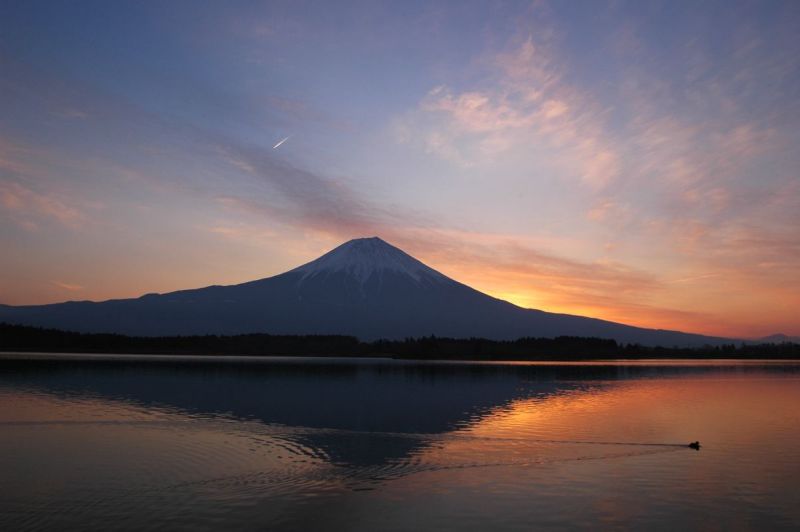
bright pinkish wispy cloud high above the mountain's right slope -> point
(523, 103)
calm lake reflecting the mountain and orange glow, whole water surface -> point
(96, 442)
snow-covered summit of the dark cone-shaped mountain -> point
(362, 258)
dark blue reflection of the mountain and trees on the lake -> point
(350, 398)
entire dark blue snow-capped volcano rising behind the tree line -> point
(365, 288)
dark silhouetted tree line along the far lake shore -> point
(31, 339)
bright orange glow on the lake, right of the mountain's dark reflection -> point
(630, 418)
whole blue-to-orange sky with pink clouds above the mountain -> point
(632, 161)
